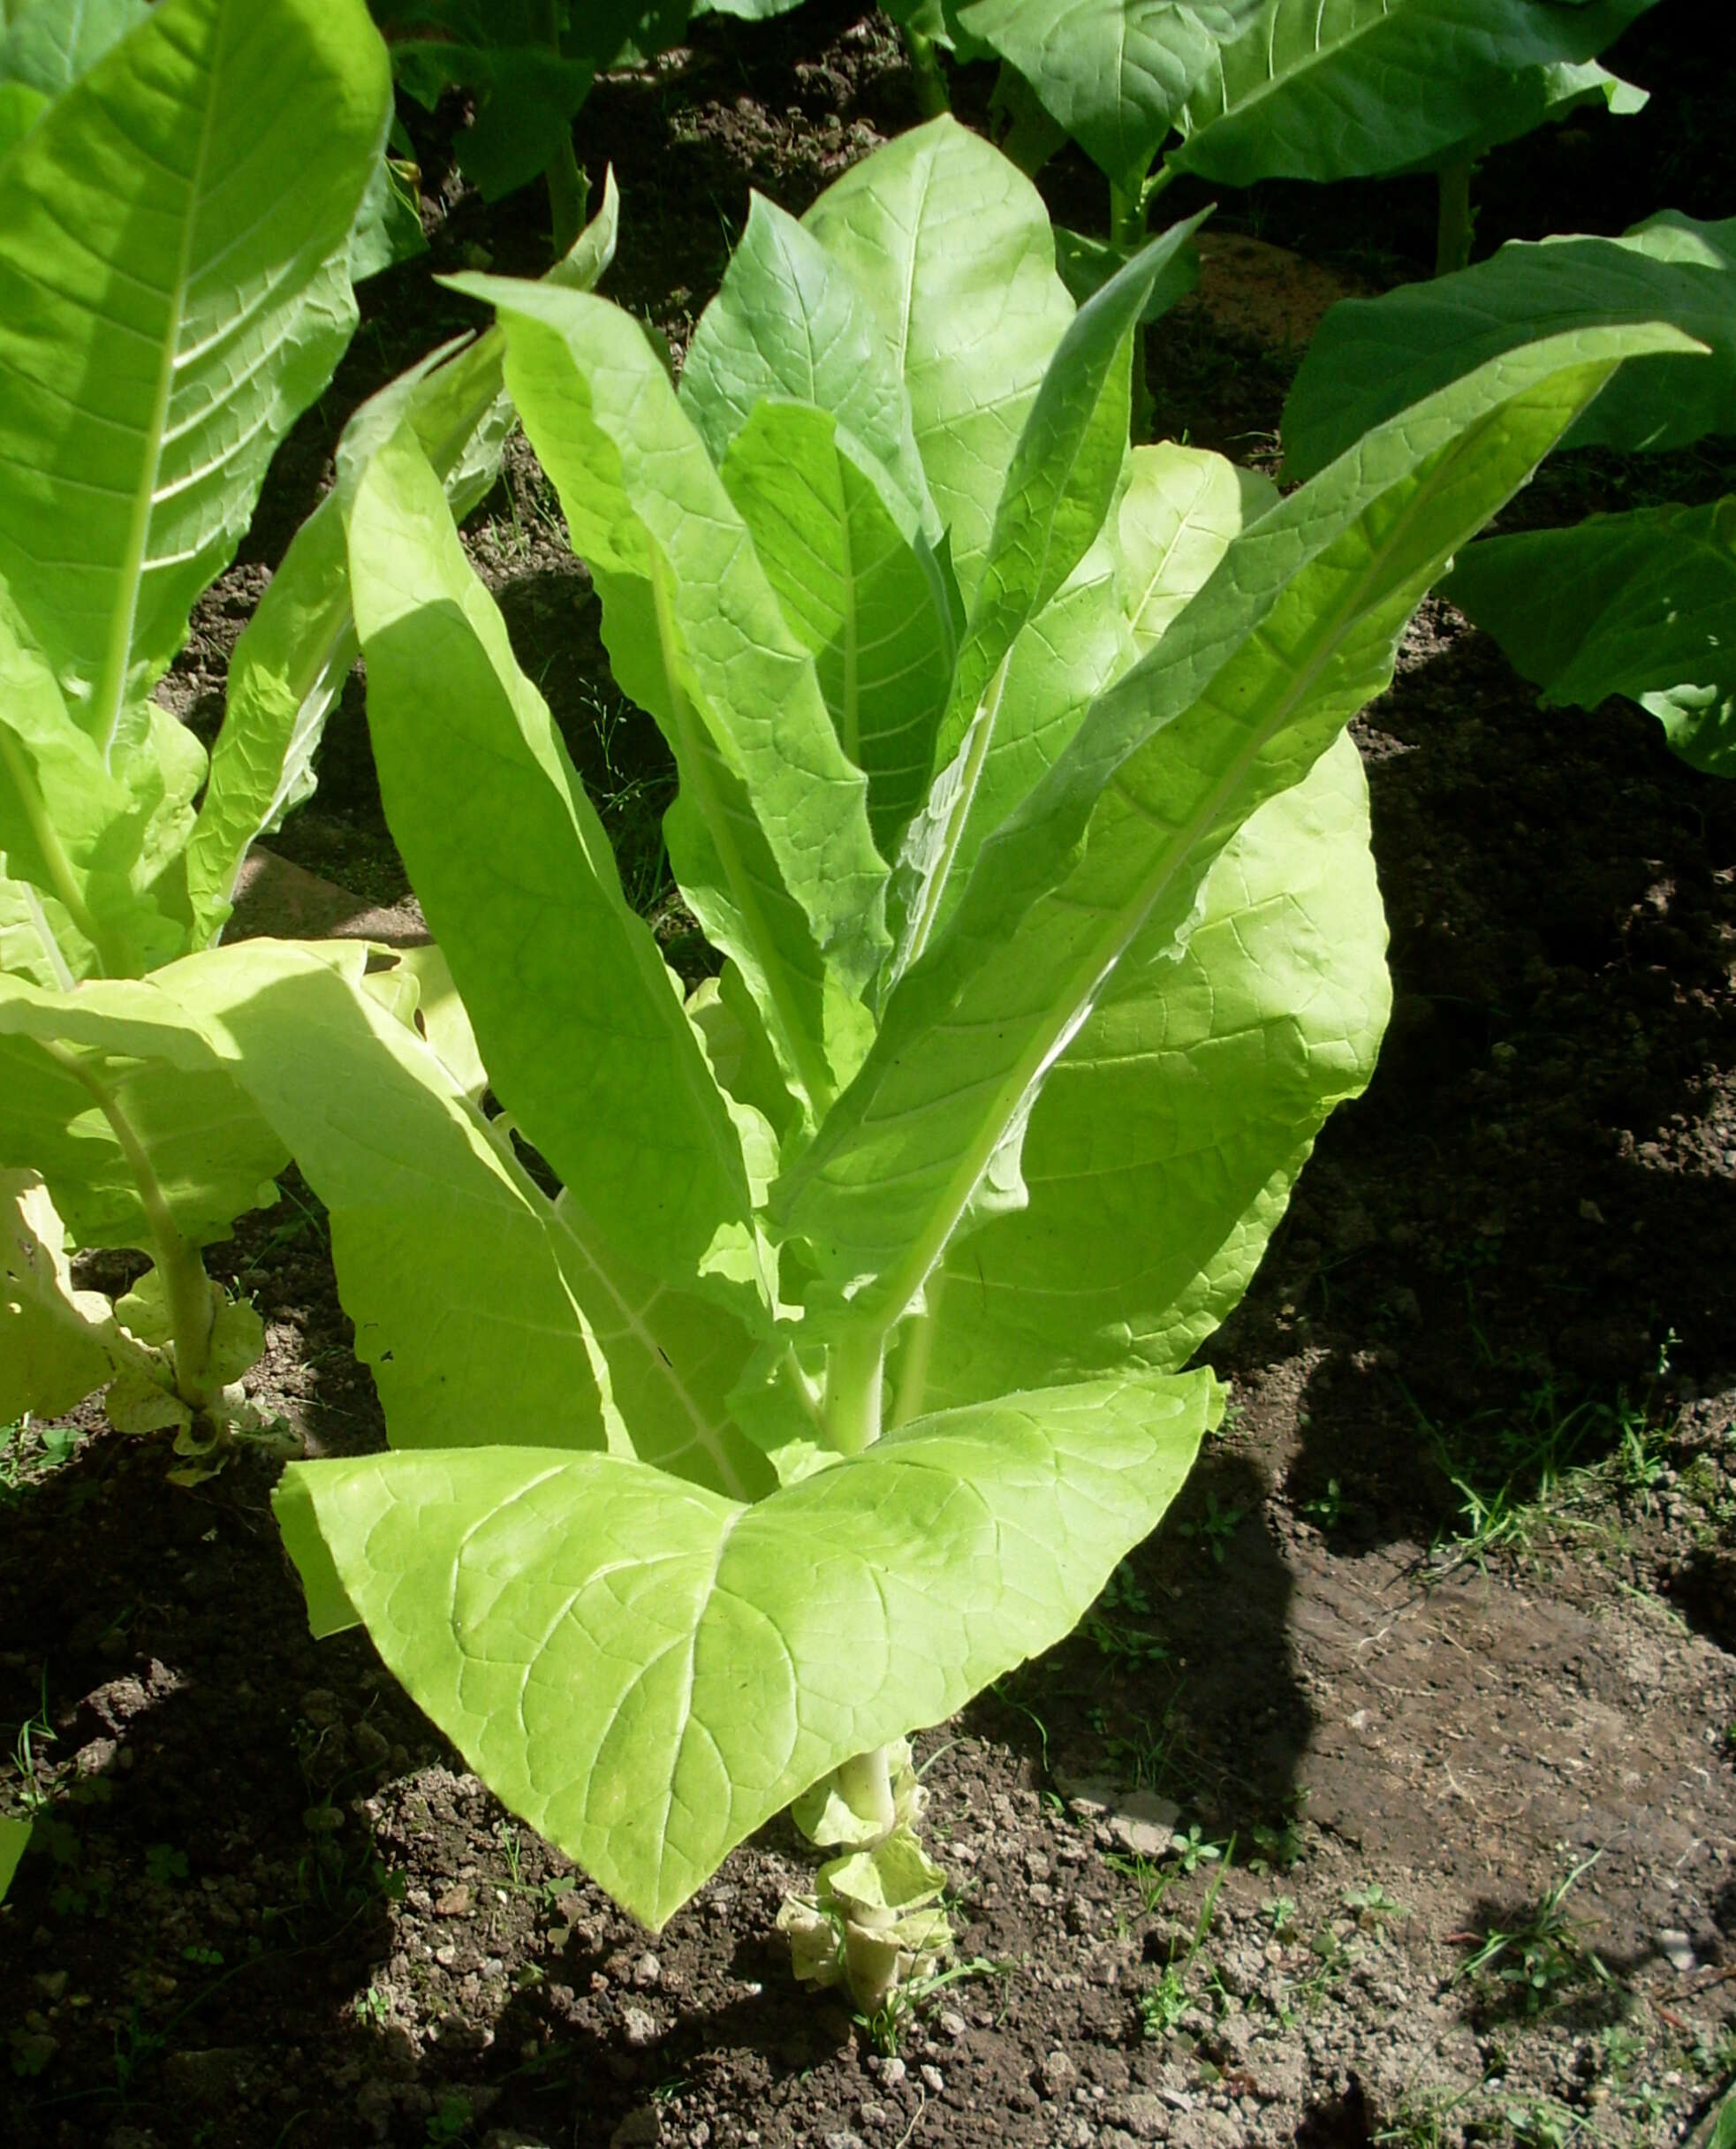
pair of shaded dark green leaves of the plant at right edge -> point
(1640, 603)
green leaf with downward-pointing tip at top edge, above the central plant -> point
(1114, 74)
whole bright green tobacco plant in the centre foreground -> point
(850, 1355)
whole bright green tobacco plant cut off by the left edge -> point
(169, 304)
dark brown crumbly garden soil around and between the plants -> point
(1389, 1791)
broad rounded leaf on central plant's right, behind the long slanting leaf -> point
(1166, 1142)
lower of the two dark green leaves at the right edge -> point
(1640, 605)
